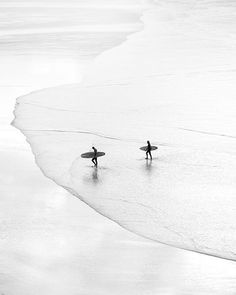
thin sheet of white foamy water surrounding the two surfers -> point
(172, 83)
